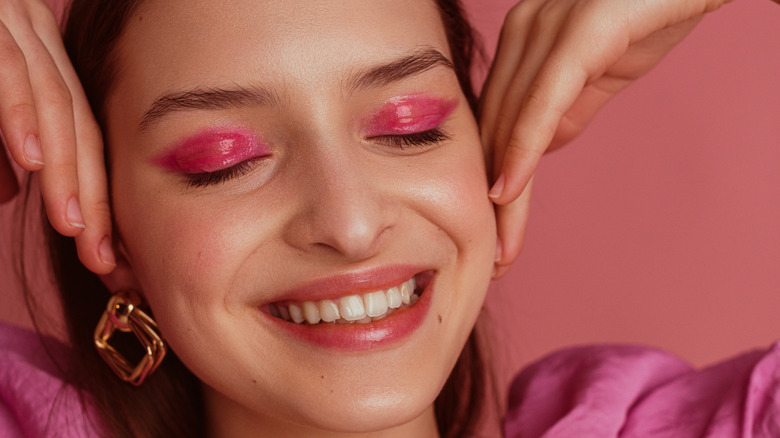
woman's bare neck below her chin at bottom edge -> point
(228, 419)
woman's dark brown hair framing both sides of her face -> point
(169, 403)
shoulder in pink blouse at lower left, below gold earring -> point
(34, 399)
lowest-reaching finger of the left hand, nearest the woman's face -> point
(95, 243)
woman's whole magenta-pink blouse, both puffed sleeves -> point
(581, 392)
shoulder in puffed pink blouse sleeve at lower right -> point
(631, 391)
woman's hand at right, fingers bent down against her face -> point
(558, 62)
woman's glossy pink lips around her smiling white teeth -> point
(357, 337)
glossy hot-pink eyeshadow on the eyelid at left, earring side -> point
(212, 150)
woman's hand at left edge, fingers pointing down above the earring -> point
(48, 127)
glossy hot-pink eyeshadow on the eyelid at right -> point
(410, 114)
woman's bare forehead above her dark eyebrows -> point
(178, 43)
